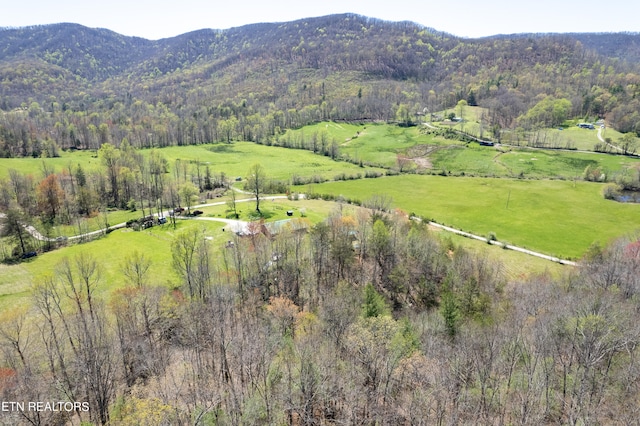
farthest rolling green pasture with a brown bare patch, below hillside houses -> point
(381, 144)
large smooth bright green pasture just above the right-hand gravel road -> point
(555, 217)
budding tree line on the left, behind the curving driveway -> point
(125, 180)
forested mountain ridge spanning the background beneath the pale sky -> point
(252, 81)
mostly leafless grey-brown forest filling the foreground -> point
(362, 320)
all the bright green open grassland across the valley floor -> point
(561, 217)
